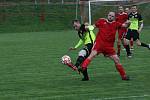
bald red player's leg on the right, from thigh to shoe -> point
(119, 67)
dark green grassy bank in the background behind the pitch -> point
(28, 16)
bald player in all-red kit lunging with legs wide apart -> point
(104, 42)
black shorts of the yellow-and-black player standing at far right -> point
(132, 34)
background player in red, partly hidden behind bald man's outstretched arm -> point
(121, 17)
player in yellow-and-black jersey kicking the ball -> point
(87, 38)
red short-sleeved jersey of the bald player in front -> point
(107, 31)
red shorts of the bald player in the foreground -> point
(105, 50)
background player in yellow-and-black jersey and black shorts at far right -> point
(134, 30)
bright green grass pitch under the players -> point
(30, 69)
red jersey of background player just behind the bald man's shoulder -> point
(121, 17)
